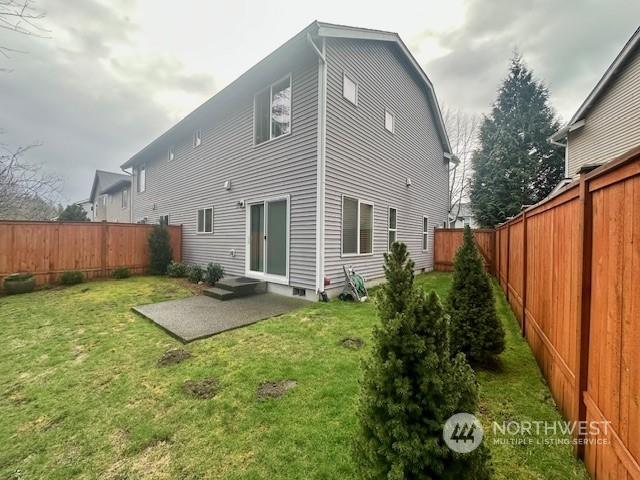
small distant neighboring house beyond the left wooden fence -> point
(111, 197)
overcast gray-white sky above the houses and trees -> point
(114, 75)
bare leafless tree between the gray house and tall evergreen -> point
(462, 129)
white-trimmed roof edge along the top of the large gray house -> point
(321, 29)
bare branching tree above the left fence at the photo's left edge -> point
(26, 192)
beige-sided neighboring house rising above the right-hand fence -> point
(607, 124)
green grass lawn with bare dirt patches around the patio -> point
(81, 395)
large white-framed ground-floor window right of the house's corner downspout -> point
(357, 227)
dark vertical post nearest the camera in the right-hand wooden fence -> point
(584, 302)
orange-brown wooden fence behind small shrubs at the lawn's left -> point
(47, 249)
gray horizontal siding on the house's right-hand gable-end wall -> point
(366, 161)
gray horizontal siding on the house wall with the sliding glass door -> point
(284, 166)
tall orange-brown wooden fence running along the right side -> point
(570, 268)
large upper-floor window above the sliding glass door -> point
(272, 111)
